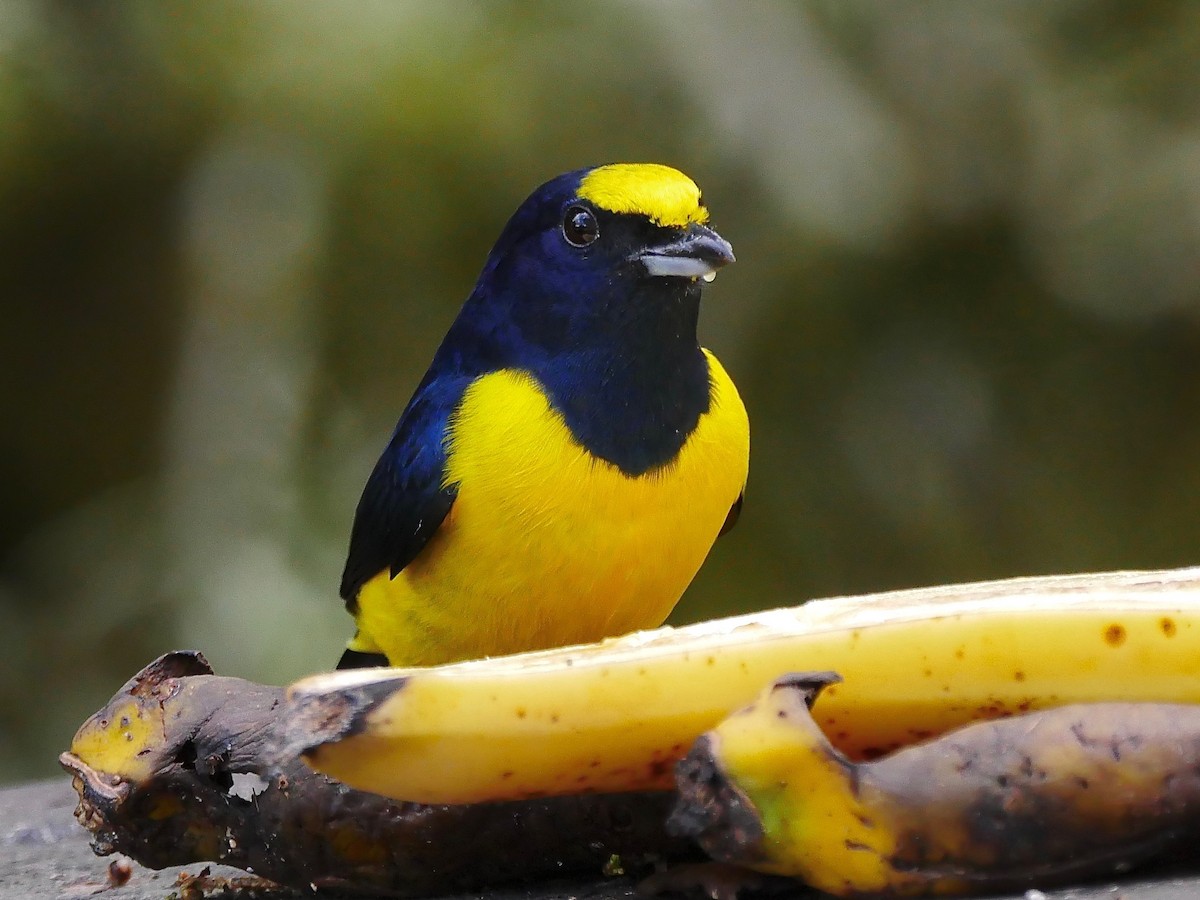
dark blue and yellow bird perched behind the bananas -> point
(573, 453)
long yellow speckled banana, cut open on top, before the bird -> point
(620, 715)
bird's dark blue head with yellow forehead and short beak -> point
(602, 251)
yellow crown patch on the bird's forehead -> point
(667, 196)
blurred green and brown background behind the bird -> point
(964, 315)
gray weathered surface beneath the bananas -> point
(45, 856)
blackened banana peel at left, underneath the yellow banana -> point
(184, 766)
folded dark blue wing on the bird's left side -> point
(405, 501)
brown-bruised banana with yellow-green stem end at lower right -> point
(1034, 801)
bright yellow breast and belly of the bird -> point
(547, 545)
